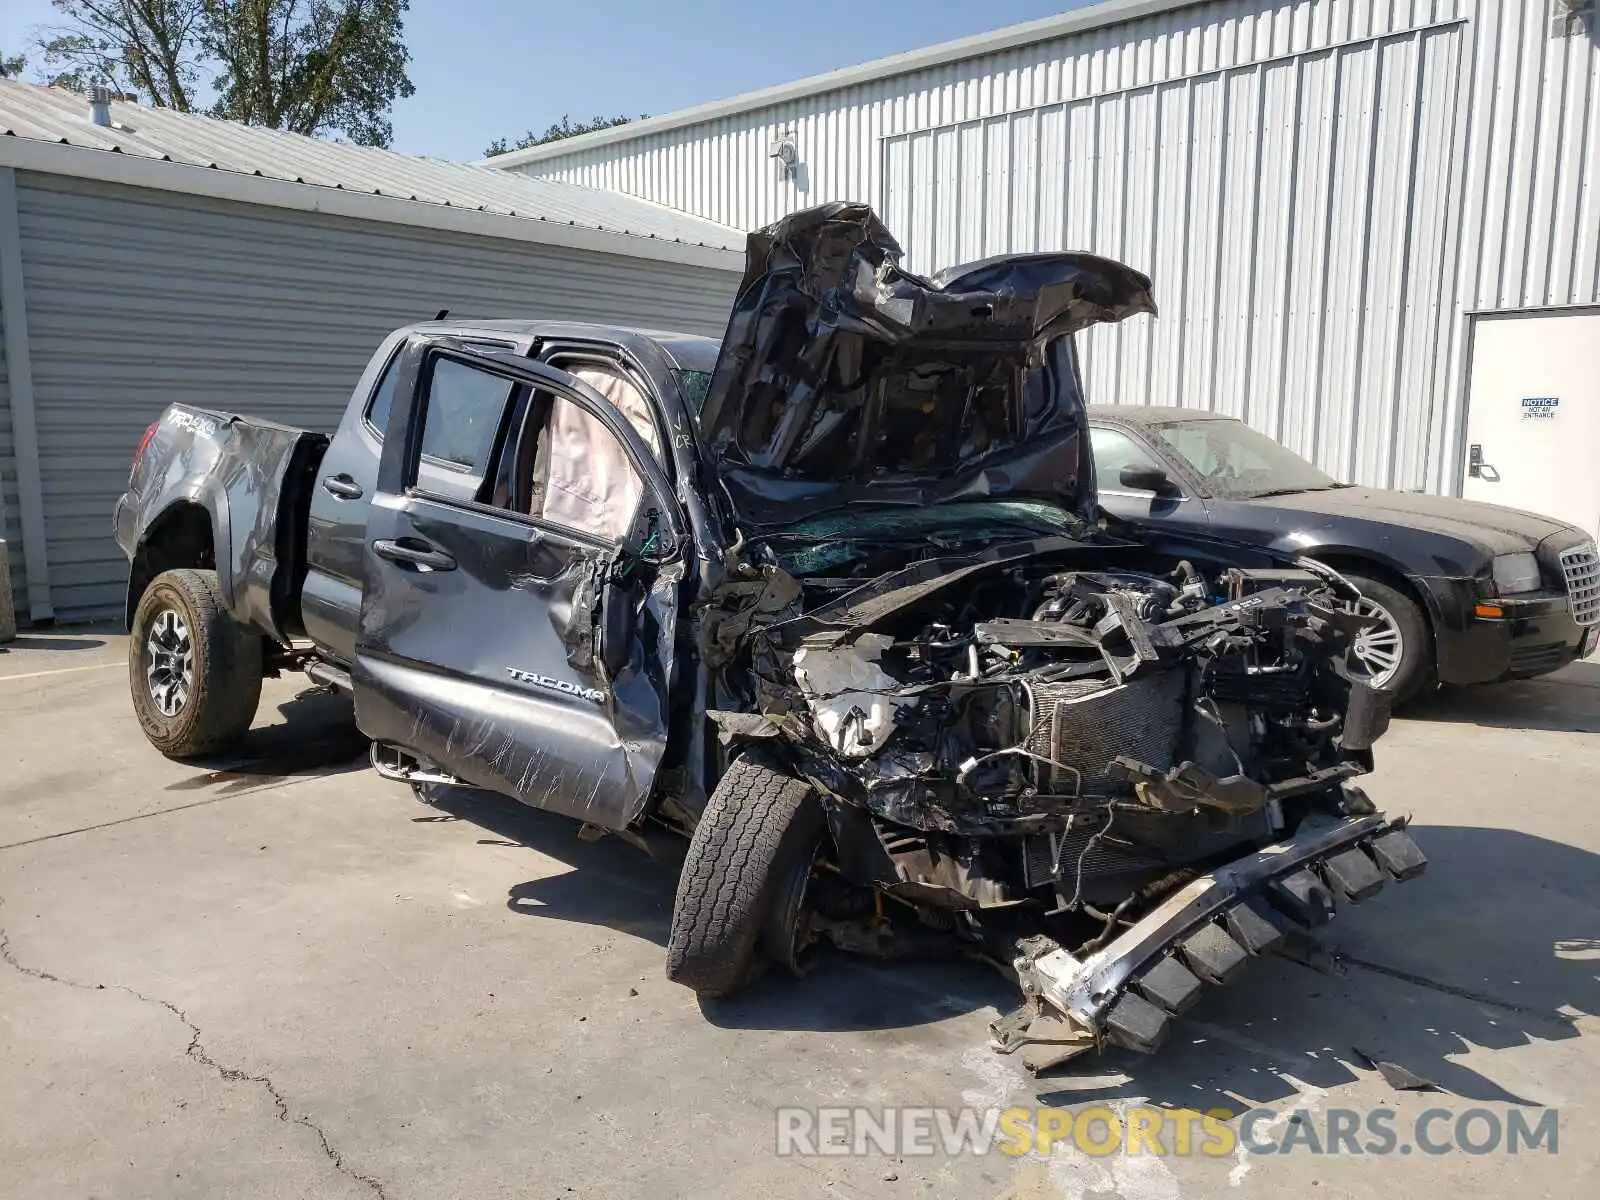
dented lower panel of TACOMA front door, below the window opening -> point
(489, 670)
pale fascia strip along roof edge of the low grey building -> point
(28, 154)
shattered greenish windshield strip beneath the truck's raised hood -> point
(842, 538)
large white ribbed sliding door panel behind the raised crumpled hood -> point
(1292, 215)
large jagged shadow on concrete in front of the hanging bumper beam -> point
(1494, 950)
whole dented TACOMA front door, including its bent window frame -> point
(482, 646)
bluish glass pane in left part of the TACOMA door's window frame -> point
(462, 418)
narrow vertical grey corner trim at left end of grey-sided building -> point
(25, 430)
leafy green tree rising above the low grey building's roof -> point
(308, 66)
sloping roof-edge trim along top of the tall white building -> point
(1044, 30)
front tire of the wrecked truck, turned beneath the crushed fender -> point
(750, 855)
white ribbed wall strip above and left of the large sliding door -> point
(721, 170)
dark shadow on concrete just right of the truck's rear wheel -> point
(318, 737)
